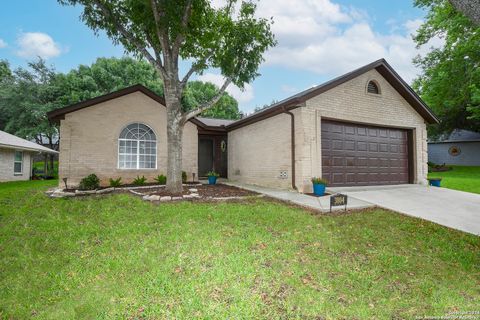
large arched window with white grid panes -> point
(137, 147)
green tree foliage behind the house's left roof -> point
(27, 94)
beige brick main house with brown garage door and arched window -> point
(367, 127)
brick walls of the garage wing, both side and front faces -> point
(260, 151)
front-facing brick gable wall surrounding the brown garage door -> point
(350, 102)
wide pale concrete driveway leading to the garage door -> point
(451, 208)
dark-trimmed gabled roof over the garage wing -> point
(380, 65)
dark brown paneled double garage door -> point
(361, 155)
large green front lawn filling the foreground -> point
(119, 257)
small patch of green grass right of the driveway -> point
(460, 178)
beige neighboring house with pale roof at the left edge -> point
(16, 157)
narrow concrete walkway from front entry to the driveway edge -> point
(317, 203)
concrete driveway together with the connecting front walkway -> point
(455, 209)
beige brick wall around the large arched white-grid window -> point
(89, 140)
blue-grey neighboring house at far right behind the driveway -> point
(461, 147)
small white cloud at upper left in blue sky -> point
(33, 44)
